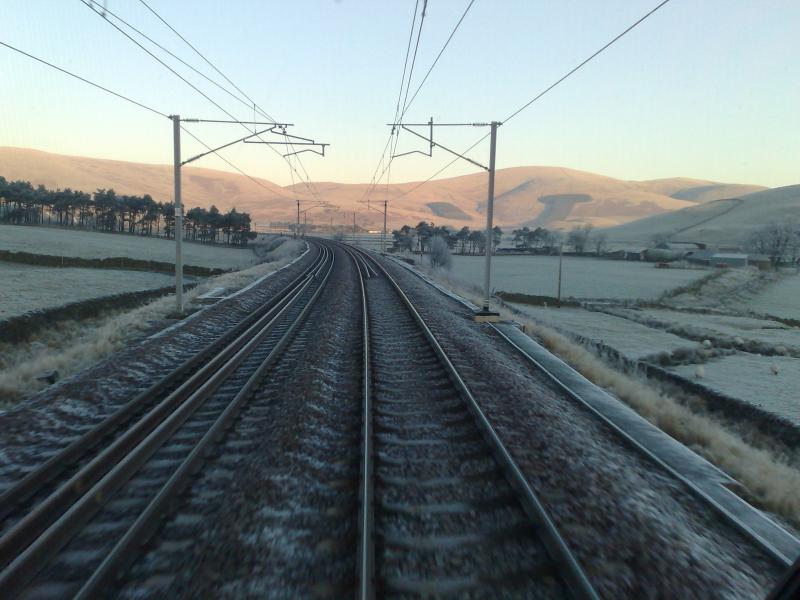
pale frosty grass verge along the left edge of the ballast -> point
(69, 347)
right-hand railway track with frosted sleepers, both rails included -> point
(444, 509)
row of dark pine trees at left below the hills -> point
(104, 210)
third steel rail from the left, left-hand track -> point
(122, 460)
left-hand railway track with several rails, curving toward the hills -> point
(72, 525)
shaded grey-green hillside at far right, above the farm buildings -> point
(721, 221)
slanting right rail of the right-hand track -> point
(572, 574)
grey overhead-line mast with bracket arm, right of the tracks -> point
(485, 314)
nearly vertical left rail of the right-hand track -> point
(366, 521)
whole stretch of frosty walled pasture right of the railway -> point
(731, 331)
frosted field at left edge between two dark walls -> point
(25, 288)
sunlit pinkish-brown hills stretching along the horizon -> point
(553, 197)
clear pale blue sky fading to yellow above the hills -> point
(707, 89)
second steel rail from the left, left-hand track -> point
(46, 512)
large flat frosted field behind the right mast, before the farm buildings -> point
(582, 277)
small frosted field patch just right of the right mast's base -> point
(631, 339)
